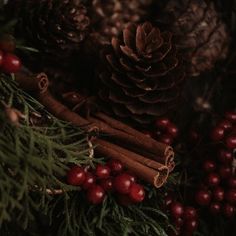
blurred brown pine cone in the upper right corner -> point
(199, 32)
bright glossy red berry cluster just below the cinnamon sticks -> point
(107, 178)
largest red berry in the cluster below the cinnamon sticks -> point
(122, 183)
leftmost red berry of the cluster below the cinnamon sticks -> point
(76, 176)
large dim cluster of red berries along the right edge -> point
(219, 190)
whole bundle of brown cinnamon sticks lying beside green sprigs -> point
(145, 157)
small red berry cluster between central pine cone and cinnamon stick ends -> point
(165, 131)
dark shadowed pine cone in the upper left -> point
(54, 27)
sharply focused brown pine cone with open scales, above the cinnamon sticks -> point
(142, 76)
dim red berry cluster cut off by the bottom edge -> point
(184, 218)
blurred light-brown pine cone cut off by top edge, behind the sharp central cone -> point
(111, 16)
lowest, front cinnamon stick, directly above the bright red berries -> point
(155, 174)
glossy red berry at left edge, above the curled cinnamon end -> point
(11, 63)
